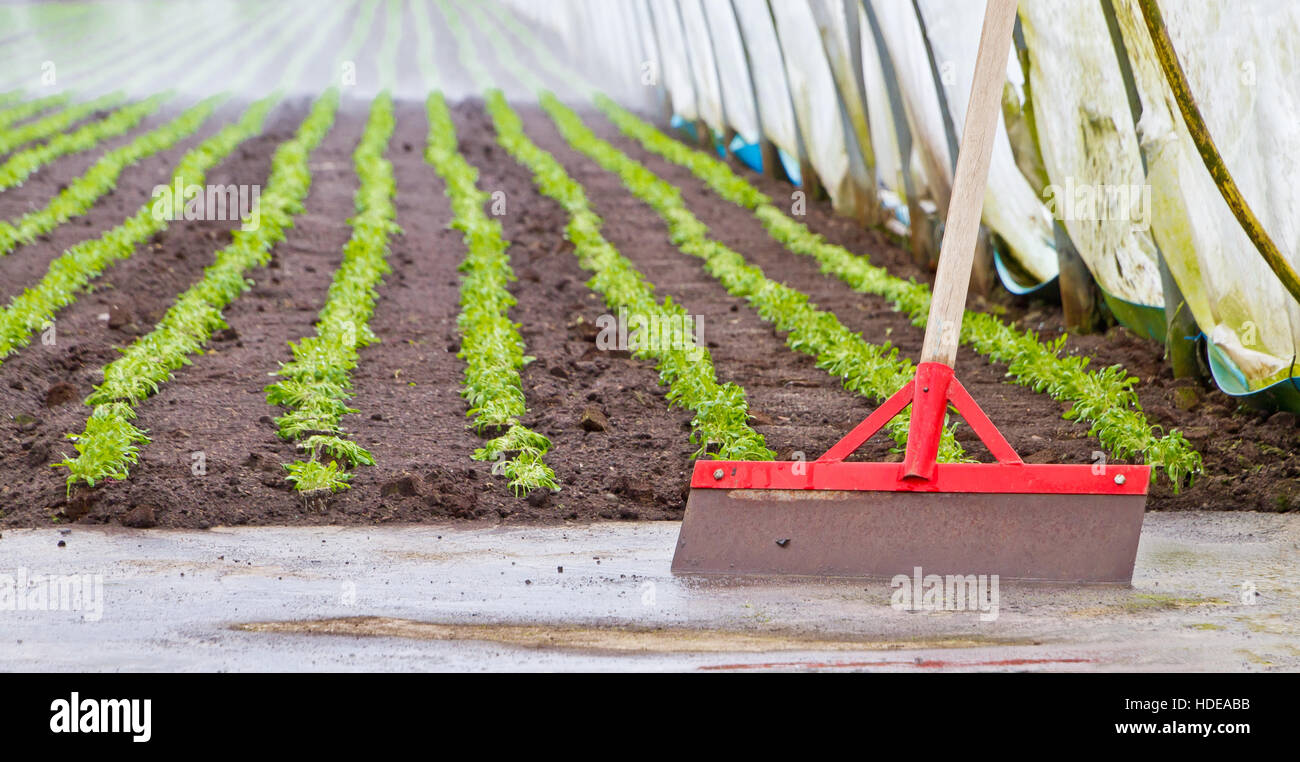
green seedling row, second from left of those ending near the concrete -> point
(317, 384)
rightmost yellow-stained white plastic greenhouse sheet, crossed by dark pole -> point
(1243, 67)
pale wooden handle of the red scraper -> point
(961, 228)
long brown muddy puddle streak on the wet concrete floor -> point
(604, 639)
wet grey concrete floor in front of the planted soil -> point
(1212, 592)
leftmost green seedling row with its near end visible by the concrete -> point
(110, 445)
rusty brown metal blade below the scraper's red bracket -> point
(1051, 538)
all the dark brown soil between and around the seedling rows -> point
(413, 419)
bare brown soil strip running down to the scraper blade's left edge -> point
(638, 466)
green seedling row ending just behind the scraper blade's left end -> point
(721, 425)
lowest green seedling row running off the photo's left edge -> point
(68, 275)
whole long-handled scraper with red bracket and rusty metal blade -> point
(829, 517)
